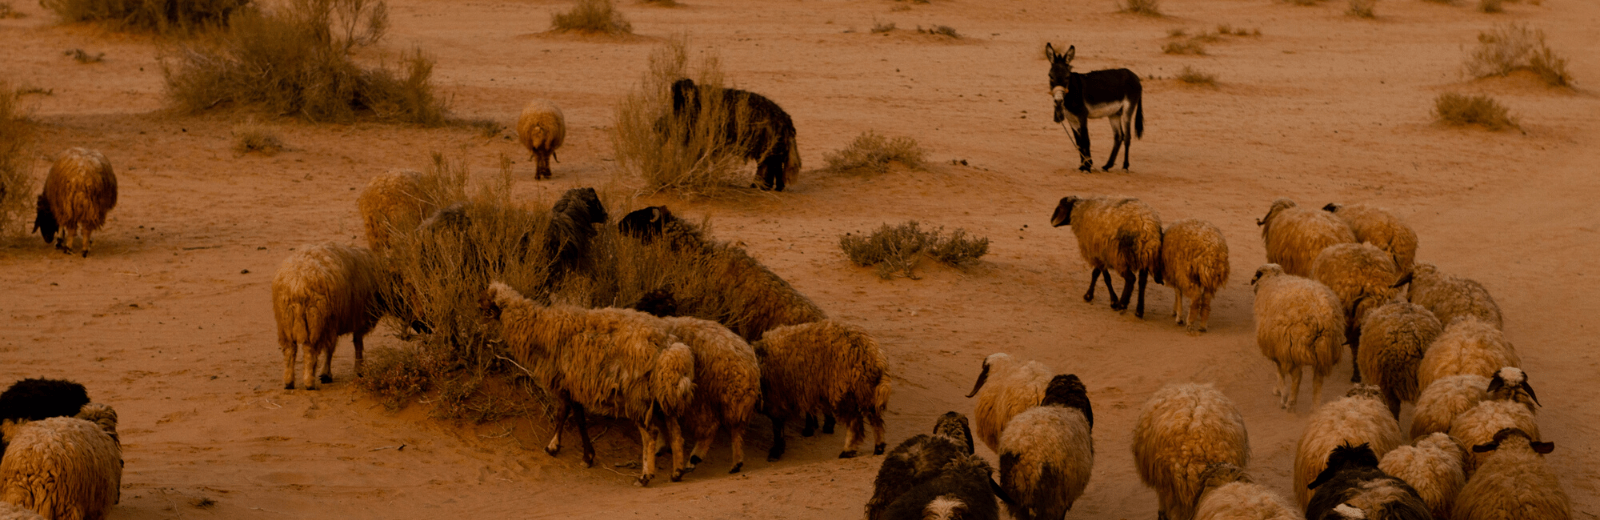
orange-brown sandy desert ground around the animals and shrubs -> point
(170, 321)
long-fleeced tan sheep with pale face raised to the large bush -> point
(612, 362)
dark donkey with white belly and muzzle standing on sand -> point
(1113, 94)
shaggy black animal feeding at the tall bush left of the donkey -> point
(751, 121)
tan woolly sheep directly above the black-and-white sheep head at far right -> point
(1466, 346)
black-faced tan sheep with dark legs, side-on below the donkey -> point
(1116, 234)
